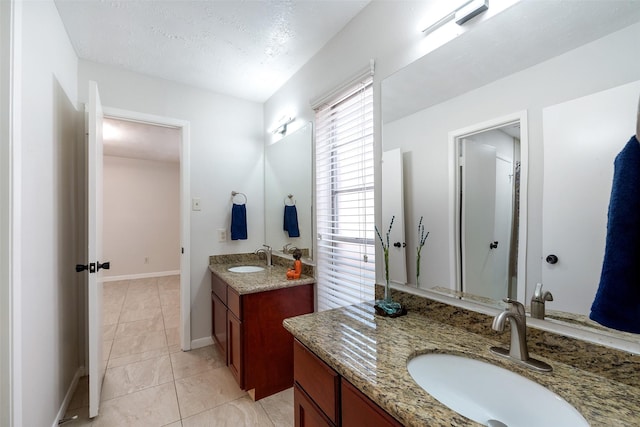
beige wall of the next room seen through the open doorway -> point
(141, 216)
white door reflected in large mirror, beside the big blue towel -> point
(581, 140)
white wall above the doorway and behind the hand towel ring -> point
(226, 154)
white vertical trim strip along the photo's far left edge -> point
(10, 218)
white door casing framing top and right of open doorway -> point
(185, 209)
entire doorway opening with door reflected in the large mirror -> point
(488, 166)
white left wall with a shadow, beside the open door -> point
(49, 283)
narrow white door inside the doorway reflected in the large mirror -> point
(478, 219)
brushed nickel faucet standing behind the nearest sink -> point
(518, 350)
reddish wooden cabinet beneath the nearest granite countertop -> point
(322, 398)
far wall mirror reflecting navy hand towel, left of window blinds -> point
(288, 190)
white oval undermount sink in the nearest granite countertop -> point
(491, 395)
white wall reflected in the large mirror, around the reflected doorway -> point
(602, 64)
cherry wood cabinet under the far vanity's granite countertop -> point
(258, 349)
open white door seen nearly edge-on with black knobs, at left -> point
(94, 234)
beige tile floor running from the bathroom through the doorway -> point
(149, 381)
